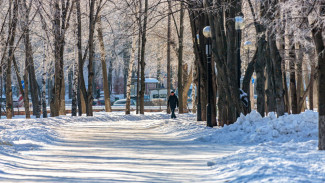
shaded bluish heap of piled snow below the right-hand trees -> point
(252, 128)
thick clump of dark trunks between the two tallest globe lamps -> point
(223, 52)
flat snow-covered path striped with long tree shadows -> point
(113, 151)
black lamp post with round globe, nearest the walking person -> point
(207, 34)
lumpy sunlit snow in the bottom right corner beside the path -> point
(273, 162)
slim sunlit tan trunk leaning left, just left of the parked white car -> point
(104, 67)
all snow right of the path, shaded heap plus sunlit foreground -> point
(274, 149)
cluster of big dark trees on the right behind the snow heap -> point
(288, 45)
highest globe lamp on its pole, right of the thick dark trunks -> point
(239, 23)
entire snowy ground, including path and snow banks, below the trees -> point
(153, 148)
